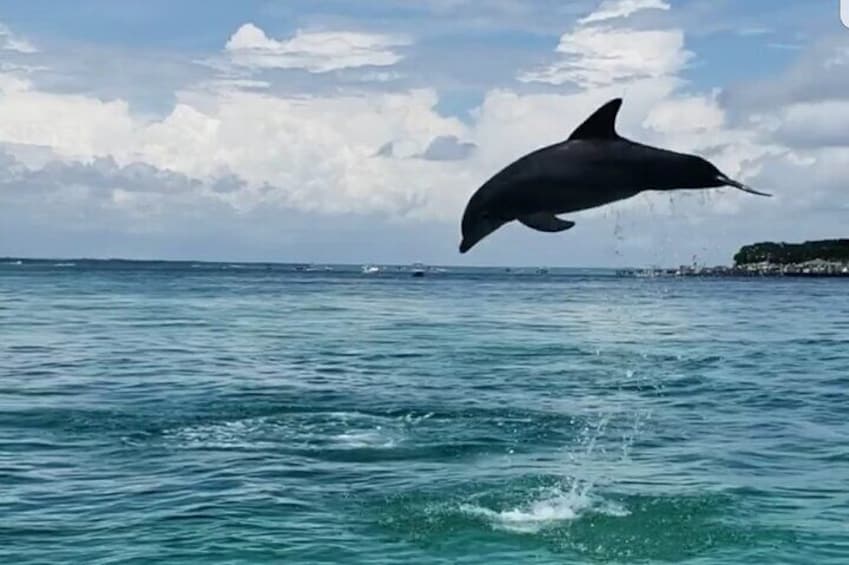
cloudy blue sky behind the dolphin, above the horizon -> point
(334, 131)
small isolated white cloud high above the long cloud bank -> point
(315, 51)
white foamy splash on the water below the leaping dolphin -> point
(536, 515)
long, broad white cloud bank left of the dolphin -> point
(307, 153)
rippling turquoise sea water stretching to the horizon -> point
(202, 413)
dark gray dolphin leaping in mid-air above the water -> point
(593, 167)
